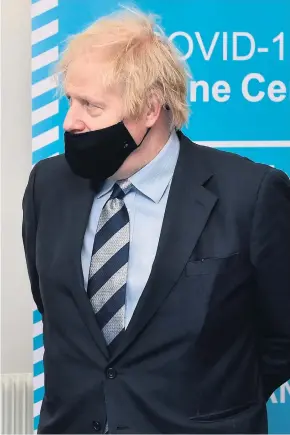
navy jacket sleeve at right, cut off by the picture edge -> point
(270, 253)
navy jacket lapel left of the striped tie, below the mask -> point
(78, 208)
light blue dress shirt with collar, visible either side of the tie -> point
(146, 204)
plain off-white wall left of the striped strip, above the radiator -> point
(16, 301)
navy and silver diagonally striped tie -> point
(109, 265)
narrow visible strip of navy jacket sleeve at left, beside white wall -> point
(29, 227)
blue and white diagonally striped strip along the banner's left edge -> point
(45, 136)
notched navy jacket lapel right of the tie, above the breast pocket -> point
(188, 209)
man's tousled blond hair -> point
(142, 61)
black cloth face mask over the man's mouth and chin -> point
(98, 154)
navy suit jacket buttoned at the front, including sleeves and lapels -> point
(209, 340)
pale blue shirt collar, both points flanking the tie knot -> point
(153, 179)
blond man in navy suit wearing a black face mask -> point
(161, 267)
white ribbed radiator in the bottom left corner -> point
(16, 403)
